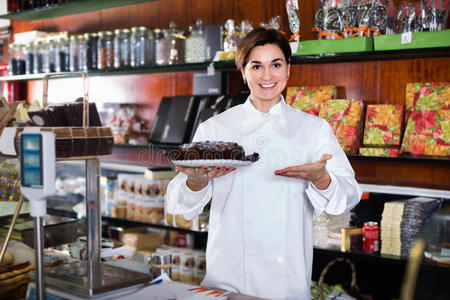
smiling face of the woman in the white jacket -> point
(266, 74)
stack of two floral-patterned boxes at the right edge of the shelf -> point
(428, 119)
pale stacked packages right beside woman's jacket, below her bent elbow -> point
(327, 229)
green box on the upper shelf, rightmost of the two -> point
(426, 39)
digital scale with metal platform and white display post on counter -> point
(80, 280)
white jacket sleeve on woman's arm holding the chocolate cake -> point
(180, 199)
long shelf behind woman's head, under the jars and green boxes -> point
(230, 65)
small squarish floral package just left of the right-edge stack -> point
(383, 125)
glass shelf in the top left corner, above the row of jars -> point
(68, 8)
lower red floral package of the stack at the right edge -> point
(427, 133)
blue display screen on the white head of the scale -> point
(31, 160)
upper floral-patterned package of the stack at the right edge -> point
(427, 96)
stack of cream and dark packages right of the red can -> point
(402, 223)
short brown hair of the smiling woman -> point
(261, 37)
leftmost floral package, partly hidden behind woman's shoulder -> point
(309, 98)
